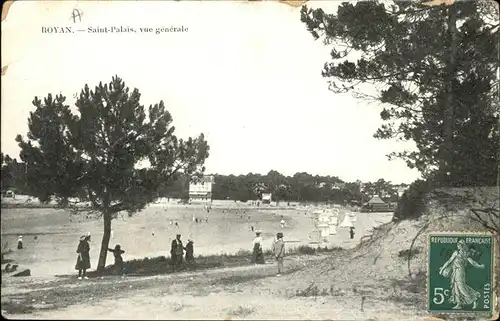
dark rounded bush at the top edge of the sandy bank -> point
(412, 202)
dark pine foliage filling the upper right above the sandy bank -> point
(432, 70)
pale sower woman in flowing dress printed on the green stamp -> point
(455, 267)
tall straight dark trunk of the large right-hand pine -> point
(446, 158)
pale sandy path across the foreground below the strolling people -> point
(249, 292)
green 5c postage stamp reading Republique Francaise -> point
(461, 273)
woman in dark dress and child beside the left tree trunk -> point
(83, 258)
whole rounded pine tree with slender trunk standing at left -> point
(108, 152)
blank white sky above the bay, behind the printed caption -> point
(247, 75)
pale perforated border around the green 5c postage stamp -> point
(494, 310)
